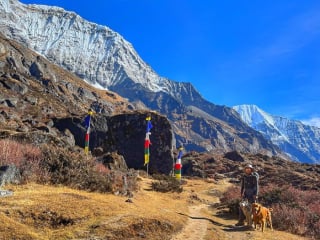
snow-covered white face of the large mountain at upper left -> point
(94, 52)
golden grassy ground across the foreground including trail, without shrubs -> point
(48, 212)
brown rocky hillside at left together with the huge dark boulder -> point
(41, 103)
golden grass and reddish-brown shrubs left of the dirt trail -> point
(55, 212)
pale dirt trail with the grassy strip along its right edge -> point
(206, 222)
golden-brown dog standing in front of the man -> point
(261, 215)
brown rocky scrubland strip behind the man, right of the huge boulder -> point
(273, 170)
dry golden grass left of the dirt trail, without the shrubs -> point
(47, 212)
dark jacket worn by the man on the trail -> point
(250, 186)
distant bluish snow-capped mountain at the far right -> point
(300, 141)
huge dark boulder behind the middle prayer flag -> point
(127, 133)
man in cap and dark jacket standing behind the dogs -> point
(249, 189)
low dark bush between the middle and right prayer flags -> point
(166, 184)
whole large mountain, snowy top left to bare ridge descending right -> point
(103, 58)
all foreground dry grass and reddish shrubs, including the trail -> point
(59, 199)
